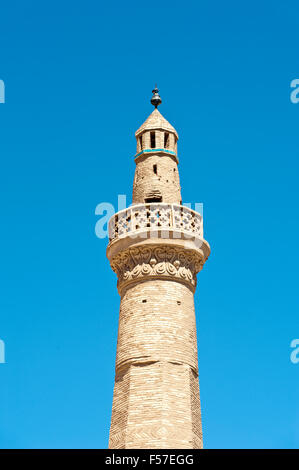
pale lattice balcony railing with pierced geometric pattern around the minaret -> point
(153, 218)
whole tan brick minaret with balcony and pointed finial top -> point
(156, 248)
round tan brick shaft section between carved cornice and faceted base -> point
(157, 323)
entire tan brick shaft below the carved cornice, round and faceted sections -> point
(156, 396)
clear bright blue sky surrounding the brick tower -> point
(78, 81)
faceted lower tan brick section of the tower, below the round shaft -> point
(157, 407)
